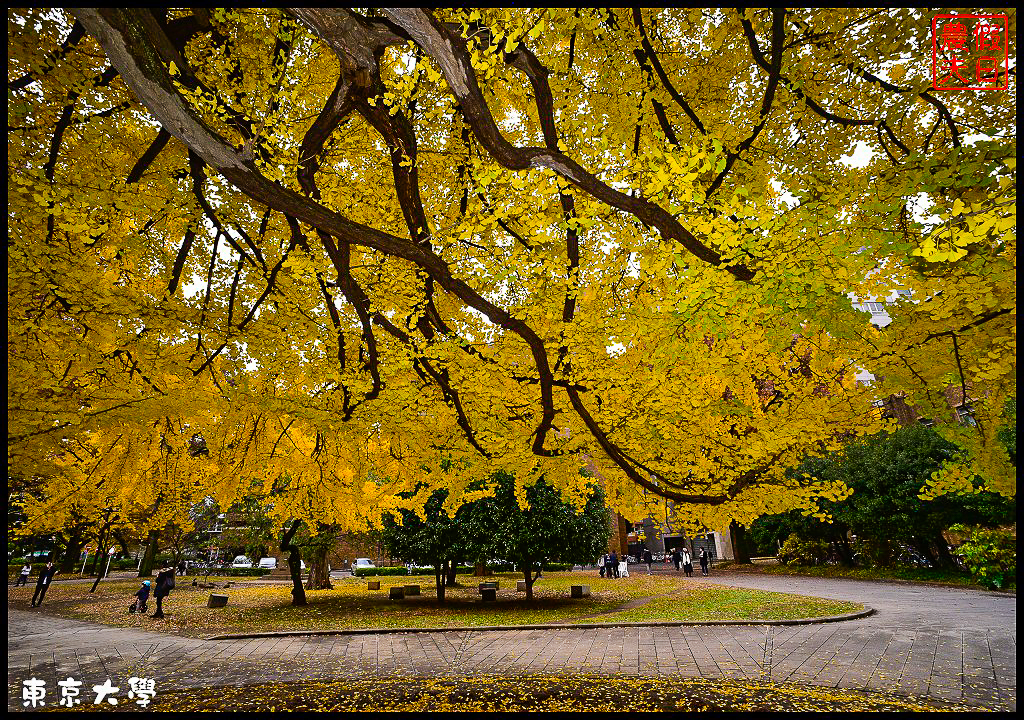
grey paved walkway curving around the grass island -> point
(945, 644)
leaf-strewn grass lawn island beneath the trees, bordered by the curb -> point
(263, 608)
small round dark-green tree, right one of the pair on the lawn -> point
(548, 529)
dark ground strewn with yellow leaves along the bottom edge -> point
(538, 694)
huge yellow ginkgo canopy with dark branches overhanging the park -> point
(347, 248)
